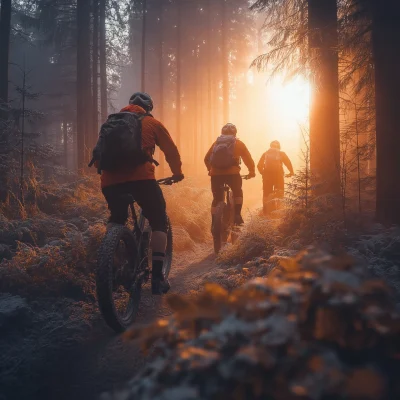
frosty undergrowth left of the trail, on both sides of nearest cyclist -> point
(48, 252)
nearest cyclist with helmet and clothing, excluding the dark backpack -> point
(140, 182)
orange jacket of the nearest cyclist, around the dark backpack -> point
(153, 133)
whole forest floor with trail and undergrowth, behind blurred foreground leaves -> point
(53, 342)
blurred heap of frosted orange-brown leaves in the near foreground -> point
(319, 327)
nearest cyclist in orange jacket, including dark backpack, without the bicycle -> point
(124, 155)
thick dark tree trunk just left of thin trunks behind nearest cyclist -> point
(83, 80)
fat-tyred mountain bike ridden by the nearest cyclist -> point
(124, 267)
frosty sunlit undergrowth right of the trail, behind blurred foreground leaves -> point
(264, 240)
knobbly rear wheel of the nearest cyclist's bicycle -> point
(118, 293)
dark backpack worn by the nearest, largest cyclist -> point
(120, 142)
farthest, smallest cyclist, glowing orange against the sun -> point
(270, 167)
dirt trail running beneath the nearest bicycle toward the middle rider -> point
(104, 362)
